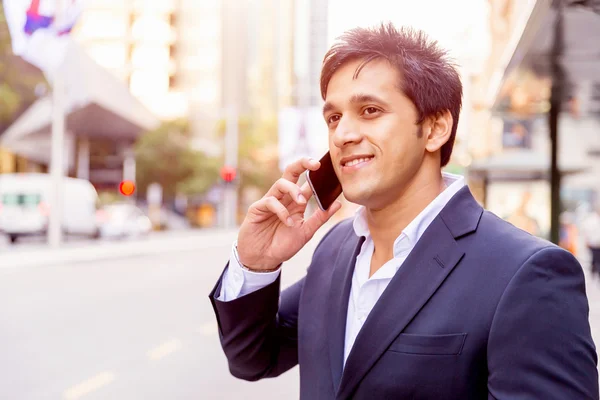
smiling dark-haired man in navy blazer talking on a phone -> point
(423, 295)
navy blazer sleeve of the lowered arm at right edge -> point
(540, 345)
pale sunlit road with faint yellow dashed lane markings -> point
(137, 327)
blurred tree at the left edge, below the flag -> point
(18, 79)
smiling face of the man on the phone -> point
(374, 141)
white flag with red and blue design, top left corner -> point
(36, 35)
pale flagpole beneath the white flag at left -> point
(57, 150)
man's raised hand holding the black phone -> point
(274, 229)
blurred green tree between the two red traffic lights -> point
(165, 156)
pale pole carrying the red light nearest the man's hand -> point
(231, 160)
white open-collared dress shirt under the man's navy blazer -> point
(364, 291)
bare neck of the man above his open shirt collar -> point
(387, 223)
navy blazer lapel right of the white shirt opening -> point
(431, 261)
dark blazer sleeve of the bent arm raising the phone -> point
(258, 331)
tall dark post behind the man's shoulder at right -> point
(556, 98)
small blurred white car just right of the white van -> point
(123, 220)
